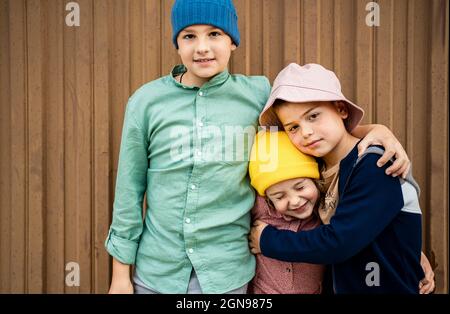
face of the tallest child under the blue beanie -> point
(205, 51)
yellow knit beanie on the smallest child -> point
(275, 159)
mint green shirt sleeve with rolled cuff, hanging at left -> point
(127, 224)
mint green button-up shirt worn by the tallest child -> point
(187, 149)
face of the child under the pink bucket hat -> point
(315, 128)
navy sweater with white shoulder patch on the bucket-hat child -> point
(374, 239)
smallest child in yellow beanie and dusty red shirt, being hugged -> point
(288, 187)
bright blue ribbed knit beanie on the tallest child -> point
(219, 13)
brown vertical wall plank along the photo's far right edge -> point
(438, 183)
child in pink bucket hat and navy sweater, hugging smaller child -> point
(372, 221)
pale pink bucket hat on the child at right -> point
(308, 83)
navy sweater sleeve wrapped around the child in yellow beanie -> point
(370, 201)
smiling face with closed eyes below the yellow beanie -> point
(294, 197)
